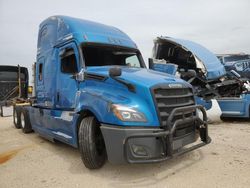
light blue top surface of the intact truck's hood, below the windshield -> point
(139, 76)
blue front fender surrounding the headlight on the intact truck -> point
(97, 98)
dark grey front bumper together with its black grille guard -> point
(154, 144)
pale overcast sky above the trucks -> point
(223, 26)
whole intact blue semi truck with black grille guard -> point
(94, 92)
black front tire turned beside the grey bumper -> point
(91, 143)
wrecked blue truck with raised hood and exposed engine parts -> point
(204, 71)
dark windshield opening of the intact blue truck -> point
(106, 56)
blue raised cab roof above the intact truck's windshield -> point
(58, 29)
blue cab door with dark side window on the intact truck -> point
(67, 86)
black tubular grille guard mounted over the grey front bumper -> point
(167, 135)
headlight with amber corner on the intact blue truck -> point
(125, 113)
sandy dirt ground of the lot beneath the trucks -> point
(31, 161)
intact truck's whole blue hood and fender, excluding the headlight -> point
(96, 96)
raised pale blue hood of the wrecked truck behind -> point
(212, 64)
